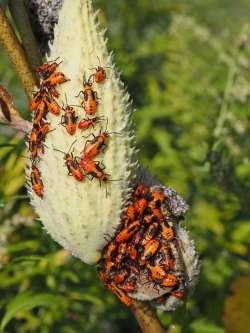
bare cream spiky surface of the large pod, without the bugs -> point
(79, 215)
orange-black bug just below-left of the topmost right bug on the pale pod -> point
(90, 99)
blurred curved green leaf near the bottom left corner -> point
(27, 301)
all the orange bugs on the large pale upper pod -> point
(45, 101)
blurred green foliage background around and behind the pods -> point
(187, 68)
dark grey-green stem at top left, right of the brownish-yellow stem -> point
(19, 13)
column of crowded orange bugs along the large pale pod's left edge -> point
(43, 102)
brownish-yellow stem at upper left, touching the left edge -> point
(16, 54)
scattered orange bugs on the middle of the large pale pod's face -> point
(85, 166)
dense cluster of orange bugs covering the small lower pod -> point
(142, 244)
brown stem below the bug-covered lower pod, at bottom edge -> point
(146, 318)
